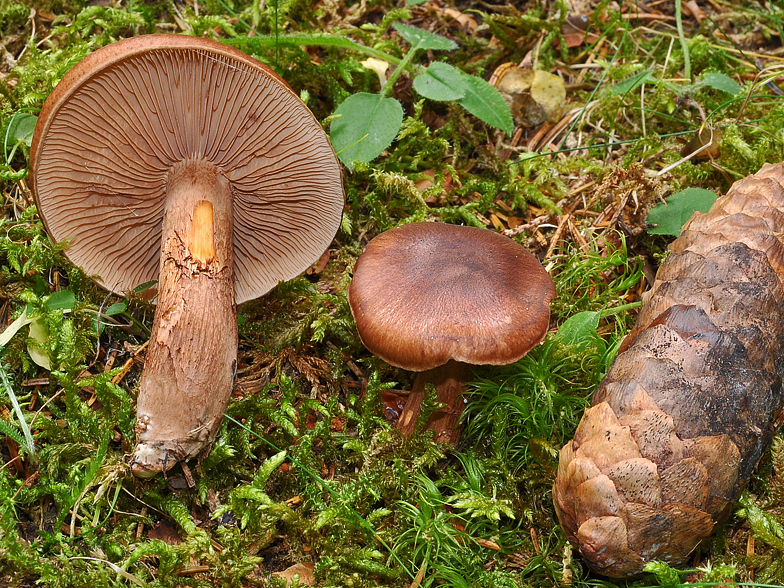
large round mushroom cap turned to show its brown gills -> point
(117, 123)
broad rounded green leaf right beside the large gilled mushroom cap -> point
(367, 125)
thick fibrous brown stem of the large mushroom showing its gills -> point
(191, 360)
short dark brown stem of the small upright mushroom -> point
(448, 380)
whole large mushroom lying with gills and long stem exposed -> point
(183, 160)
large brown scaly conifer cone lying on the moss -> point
(691, 402)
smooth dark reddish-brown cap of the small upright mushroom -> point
(425, 293)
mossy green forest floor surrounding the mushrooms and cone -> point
(633, 102)
